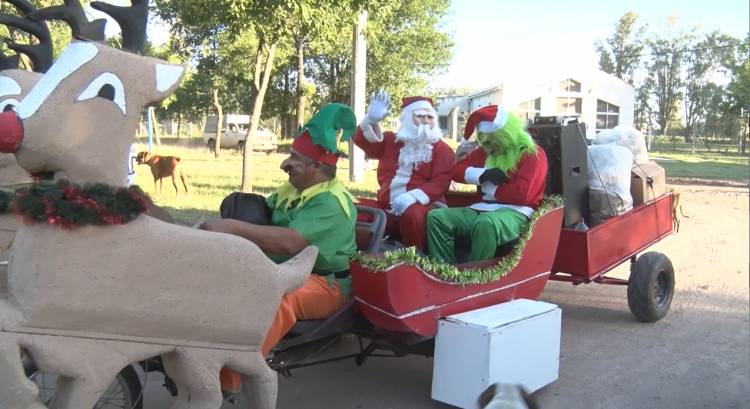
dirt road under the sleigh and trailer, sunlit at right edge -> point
(696, 357)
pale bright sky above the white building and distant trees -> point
(497, 39)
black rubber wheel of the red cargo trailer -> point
(651, 287)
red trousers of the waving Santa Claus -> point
(409, 227)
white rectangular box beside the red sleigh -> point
(517, 342)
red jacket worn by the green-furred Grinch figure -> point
(526, 183)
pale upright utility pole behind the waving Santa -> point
(359, 76)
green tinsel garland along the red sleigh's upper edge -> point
(450, 272)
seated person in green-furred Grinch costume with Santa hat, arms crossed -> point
(511, 173)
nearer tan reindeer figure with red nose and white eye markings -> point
(85, 302)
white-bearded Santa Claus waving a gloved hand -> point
(414, 168)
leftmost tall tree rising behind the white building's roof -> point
(620, 54)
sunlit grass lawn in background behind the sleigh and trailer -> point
(210, 179)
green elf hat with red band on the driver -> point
(318, 138)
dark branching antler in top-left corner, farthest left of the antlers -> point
(41, 53)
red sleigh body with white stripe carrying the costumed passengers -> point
(405, 298)
